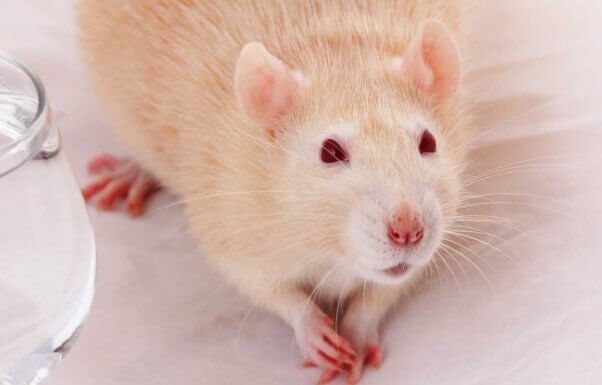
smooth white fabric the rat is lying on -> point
(162, 316)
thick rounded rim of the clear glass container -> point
(37, 124)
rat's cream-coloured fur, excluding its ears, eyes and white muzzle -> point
(266, 213)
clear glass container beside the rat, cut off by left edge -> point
(47, 250)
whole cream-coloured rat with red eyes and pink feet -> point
(318, 147)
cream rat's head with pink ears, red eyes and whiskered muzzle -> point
(367, 158)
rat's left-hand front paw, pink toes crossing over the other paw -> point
(321, 345)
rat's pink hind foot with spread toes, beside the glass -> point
(119, 178)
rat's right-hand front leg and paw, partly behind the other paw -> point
(361, 323)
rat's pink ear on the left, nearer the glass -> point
(265, 87)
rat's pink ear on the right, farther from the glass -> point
(432, 61)
